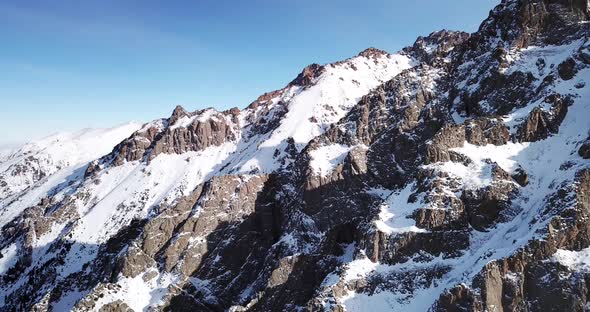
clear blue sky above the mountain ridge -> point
(70, 64)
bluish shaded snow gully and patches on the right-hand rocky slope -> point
(550, 164)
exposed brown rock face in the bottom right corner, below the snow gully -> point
(529, 279)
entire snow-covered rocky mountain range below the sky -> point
(453, 175)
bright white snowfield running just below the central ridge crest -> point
(311, 110)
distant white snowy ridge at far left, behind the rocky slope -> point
(34, 170)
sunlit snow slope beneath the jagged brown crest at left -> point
(130, 190)
